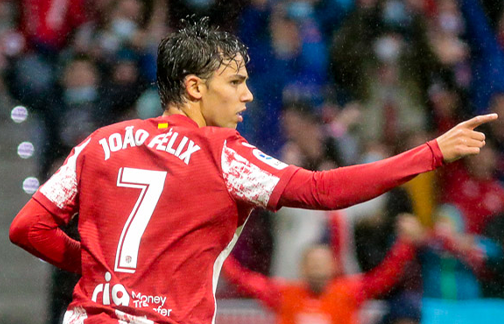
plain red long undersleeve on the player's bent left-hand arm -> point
(35, 230)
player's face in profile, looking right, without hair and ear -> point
(226, 94)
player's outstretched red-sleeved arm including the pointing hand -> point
(343, 187)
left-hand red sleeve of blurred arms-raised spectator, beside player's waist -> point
(253, 284)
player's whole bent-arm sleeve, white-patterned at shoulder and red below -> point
(36, 226)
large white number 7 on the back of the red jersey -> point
(151, 184)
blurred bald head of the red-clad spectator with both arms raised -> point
(318, 267)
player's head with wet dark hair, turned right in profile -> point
(203, 65)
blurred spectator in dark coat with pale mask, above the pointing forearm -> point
(375, 59)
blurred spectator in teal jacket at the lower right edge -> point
(455, 263)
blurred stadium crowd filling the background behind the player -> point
(335, 82)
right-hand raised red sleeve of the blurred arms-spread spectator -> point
(383, 277)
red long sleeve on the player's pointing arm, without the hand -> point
(343, 187)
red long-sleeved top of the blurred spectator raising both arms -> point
(338, 304)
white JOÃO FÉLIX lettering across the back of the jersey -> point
(183, 148)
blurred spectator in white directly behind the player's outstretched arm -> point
(317, 148)
